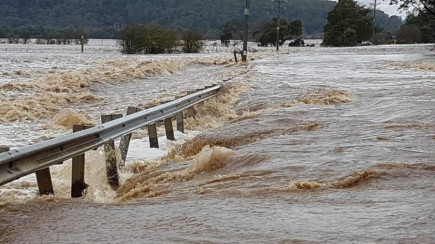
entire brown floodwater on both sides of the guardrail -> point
(320, 145)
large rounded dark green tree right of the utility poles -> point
(348, 25)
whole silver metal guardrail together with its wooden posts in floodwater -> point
(39, 157)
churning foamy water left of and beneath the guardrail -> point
(47, 89)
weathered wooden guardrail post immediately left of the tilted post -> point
(110, 155)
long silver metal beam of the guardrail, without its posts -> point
(17, 163)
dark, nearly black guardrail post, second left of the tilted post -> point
(78, 170)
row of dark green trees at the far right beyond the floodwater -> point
(350, 24)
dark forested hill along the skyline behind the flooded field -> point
(206, 16)
